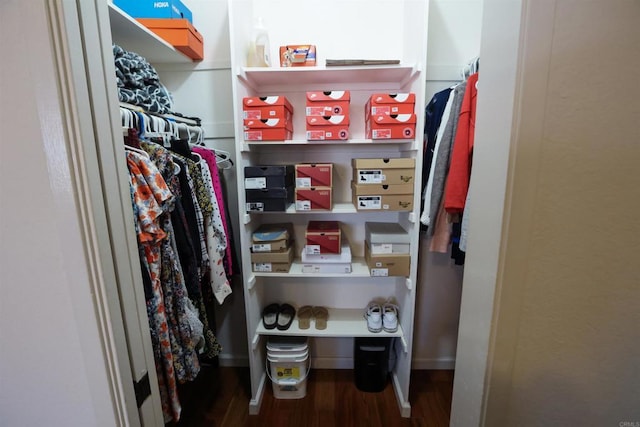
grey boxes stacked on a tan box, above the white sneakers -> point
(387, 249)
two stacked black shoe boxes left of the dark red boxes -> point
(268, 188)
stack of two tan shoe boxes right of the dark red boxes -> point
(383, 184)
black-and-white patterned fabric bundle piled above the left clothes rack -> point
(138, 82)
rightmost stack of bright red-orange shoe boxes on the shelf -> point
(390, 116)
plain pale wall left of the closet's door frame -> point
(52, 366)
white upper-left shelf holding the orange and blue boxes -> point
(135, 37)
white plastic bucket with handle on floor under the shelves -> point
(288, 366)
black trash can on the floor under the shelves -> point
(371, 363)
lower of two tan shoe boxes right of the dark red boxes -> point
(379, 198)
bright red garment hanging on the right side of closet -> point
(461, 156)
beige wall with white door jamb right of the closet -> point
(564, 344)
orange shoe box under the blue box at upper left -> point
(179, 33)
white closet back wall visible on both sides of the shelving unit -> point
(204, 89)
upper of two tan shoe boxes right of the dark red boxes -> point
(383, 171)
